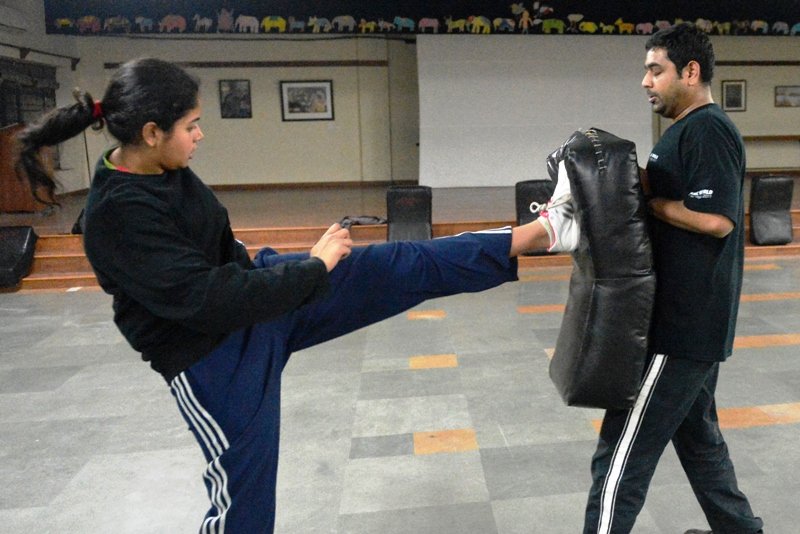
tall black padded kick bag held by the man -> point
(602, 345)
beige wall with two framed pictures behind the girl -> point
(372, 122)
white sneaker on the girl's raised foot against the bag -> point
(558, 216)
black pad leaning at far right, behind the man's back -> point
(770, 205)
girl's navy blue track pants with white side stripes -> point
(231, 398)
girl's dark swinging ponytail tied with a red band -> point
(53, 128)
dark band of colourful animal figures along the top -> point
(91, 17)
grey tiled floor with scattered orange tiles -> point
(440, 421)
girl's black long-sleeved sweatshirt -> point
(162, 246)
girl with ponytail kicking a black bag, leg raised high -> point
(217, 325)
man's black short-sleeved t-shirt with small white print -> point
(700, 160)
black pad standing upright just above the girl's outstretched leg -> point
(408, 212)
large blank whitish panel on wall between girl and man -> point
(493, 107)
